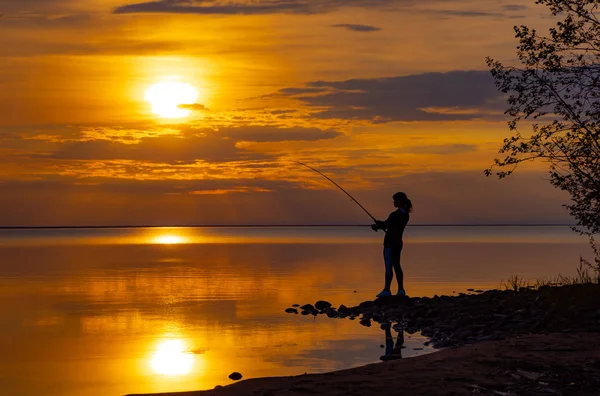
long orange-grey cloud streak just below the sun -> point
(175, 147)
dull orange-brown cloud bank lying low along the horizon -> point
(439, 198)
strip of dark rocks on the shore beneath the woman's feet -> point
(479, 316)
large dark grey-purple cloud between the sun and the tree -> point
(469, 95)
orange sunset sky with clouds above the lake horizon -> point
(380, 95)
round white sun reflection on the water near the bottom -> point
(171, 358)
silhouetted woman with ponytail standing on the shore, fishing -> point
(392, 243)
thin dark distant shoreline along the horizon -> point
(266, 226)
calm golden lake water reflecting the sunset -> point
(116, 311)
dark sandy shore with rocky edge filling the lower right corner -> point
(550, 347)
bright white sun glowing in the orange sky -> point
(165, 98)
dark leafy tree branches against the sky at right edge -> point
(557, 87)
